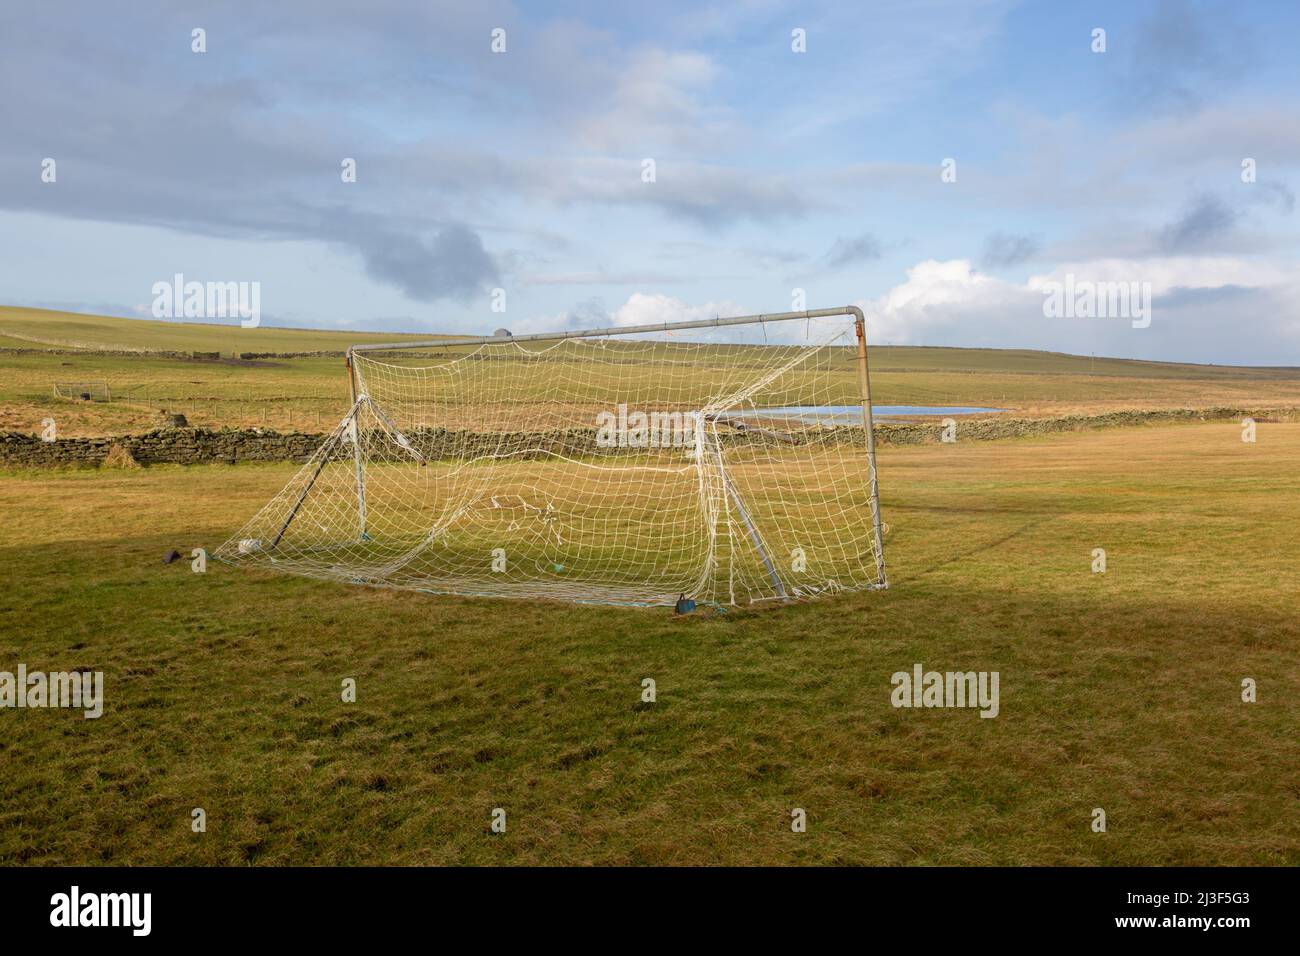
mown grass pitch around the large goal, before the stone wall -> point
(1119, 690)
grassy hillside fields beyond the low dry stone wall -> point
(311, 393)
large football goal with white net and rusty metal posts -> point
(729, 461)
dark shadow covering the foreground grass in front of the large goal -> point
(224, 691)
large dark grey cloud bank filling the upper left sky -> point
(189, 142)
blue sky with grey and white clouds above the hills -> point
(941, 165)
